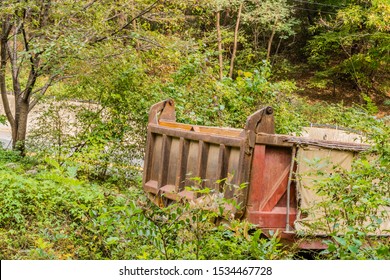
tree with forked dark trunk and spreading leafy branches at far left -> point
(37, 39)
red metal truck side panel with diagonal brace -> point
(267, 202)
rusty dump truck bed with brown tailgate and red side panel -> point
(221, 159)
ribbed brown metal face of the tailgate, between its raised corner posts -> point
(178, 159)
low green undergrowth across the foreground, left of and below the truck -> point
(48, 213)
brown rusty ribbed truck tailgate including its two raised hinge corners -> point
(176, 153)
